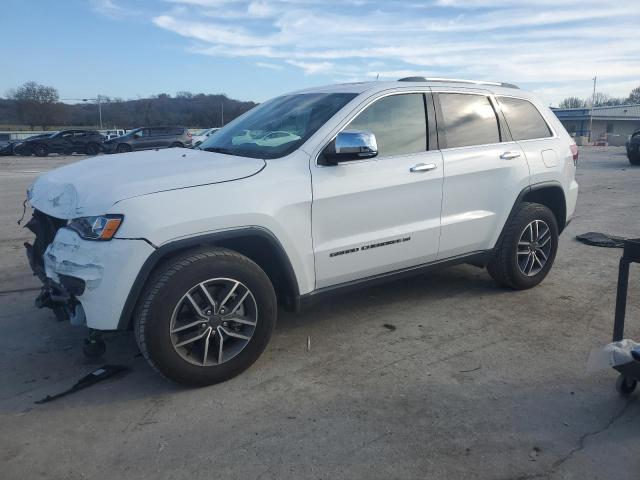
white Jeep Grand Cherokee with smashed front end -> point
(195, 249)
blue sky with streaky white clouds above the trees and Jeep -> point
(257, 49)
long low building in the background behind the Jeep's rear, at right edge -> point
(610, 124)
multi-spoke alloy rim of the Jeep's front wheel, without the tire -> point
(213, 322)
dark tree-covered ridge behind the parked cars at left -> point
(37, 105)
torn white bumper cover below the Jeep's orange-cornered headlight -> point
(96, 275)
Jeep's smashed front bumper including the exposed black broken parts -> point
(84, 281)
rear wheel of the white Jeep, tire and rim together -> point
(507, 265)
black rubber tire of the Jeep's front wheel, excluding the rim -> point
(167, 288)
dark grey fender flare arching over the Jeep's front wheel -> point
(208, 239)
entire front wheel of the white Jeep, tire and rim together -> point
(160, 330)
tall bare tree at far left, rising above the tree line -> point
(37, 104)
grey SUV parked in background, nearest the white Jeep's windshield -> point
(146, 138)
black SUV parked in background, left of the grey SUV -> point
(65, 142)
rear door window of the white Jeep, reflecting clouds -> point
(468, 120)
